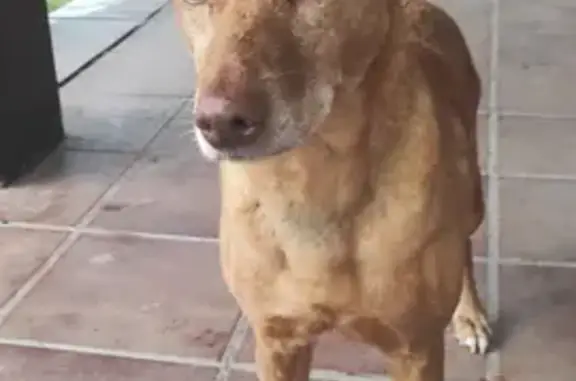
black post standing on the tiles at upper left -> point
(30, 117)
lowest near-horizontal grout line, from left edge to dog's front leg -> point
(111, 353)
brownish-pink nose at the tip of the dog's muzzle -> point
(224, 124)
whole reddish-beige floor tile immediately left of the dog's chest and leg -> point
(129, 294)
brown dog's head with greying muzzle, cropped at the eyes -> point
(268, 71)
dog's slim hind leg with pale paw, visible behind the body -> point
(469, 321)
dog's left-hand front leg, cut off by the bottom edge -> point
(282, 359)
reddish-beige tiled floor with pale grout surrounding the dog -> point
(108, 256)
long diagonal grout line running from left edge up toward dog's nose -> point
(10, 305)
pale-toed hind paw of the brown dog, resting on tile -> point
(472, 333)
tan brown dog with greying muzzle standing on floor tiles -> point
(350, 184)
